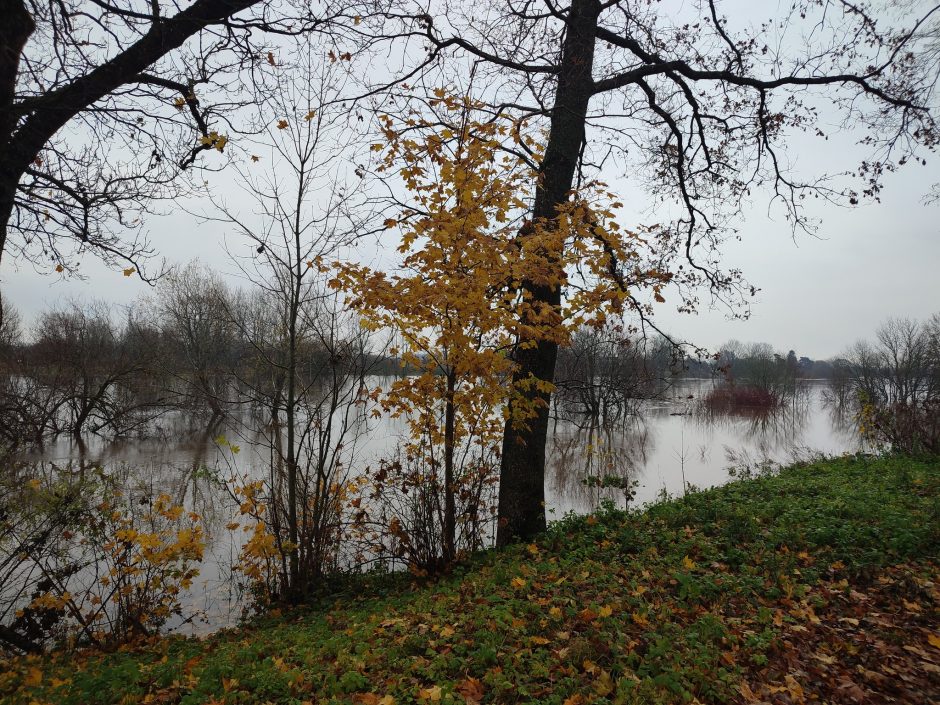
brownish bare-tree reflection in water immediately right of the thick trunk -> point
(601, 450)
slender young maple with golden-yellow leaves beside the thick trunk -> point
(458, 304)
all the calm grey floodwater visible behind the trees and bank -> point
(667, 446)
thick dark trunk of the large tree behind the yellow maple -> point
(522, 474)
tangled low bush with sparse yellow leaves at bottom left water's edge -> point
(84, 563)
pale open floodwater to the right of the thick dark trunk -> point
(676, 442)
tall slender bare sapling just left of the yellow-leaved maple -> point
(311, 353)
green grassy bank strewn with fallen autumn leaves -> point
(822, 582)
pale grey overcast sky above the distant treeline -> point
(817, 294)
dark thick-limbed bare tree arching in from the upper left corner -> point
(104, 104)
